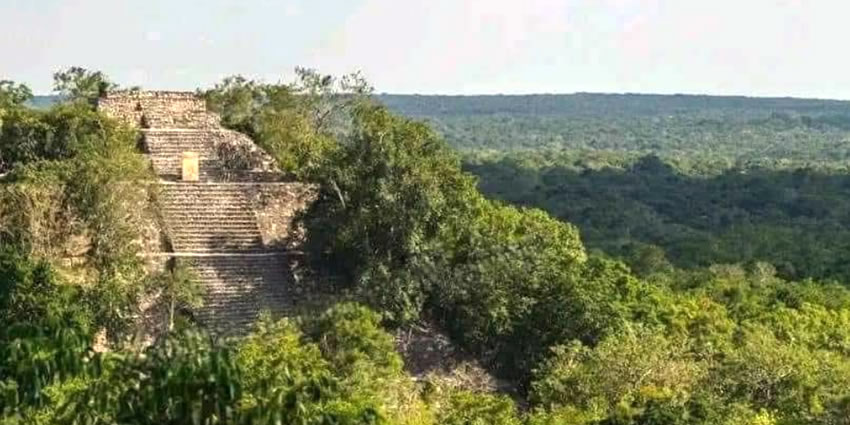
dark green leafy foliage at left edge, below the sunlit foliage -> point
(46, 334)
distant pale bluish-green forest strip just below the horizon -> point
(738, 128)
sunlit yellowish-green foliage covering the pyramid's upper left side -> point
(76, 189)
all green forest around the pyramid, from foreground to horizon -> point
(730, 308)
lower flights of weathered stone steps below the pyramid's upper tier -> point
(213, 228)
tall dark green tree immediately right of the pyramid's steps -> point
(390, 190)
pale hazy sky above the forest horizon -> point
(750, 47)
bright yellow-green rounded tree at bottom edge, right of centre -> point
(625, 373)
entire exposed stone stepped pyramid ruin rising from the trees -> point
(233, 225)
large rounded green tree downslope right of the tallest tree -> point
(508, 285)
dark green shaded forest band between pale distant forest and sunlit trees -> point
(654, 212)
